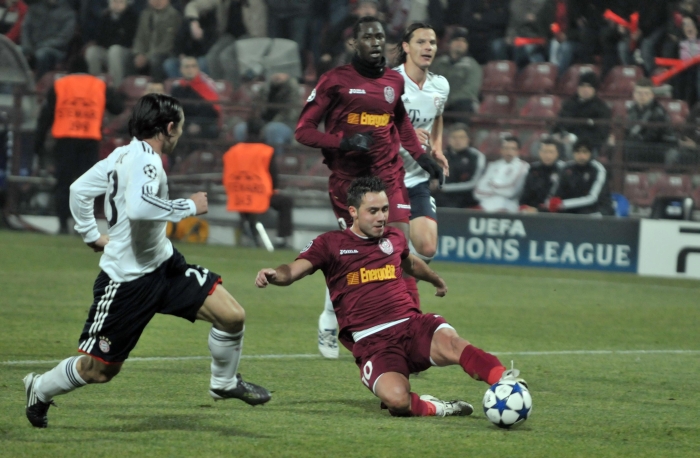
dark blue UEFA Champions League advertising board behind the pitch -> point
(542, 240)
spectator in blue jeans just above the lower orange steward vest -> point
(282, 107)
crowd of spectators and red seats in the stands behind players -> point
(574, 65)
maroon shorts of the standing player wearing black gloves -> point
(399, 203)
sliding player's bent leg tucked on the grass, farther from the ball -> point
(395, 392)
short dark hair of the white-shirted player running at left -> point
(152, 114)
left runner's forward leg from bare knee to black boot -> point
(225, 344)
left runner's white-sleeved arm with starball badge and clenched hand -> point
(141, 194)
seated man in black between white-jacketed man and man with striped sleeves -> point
(542, 178)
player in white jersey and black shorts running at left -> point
(142, 274)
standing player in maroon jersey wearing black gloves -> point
(365, 123)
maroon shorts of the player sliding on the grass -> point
(403, 348)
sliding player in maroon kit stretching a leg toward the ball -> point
(390, 337)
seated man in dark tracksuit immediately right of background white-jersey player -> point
(466, 167)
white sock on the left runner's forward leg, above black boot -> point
(225, 351)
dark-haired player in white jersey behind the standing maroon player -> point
(425, 95)
